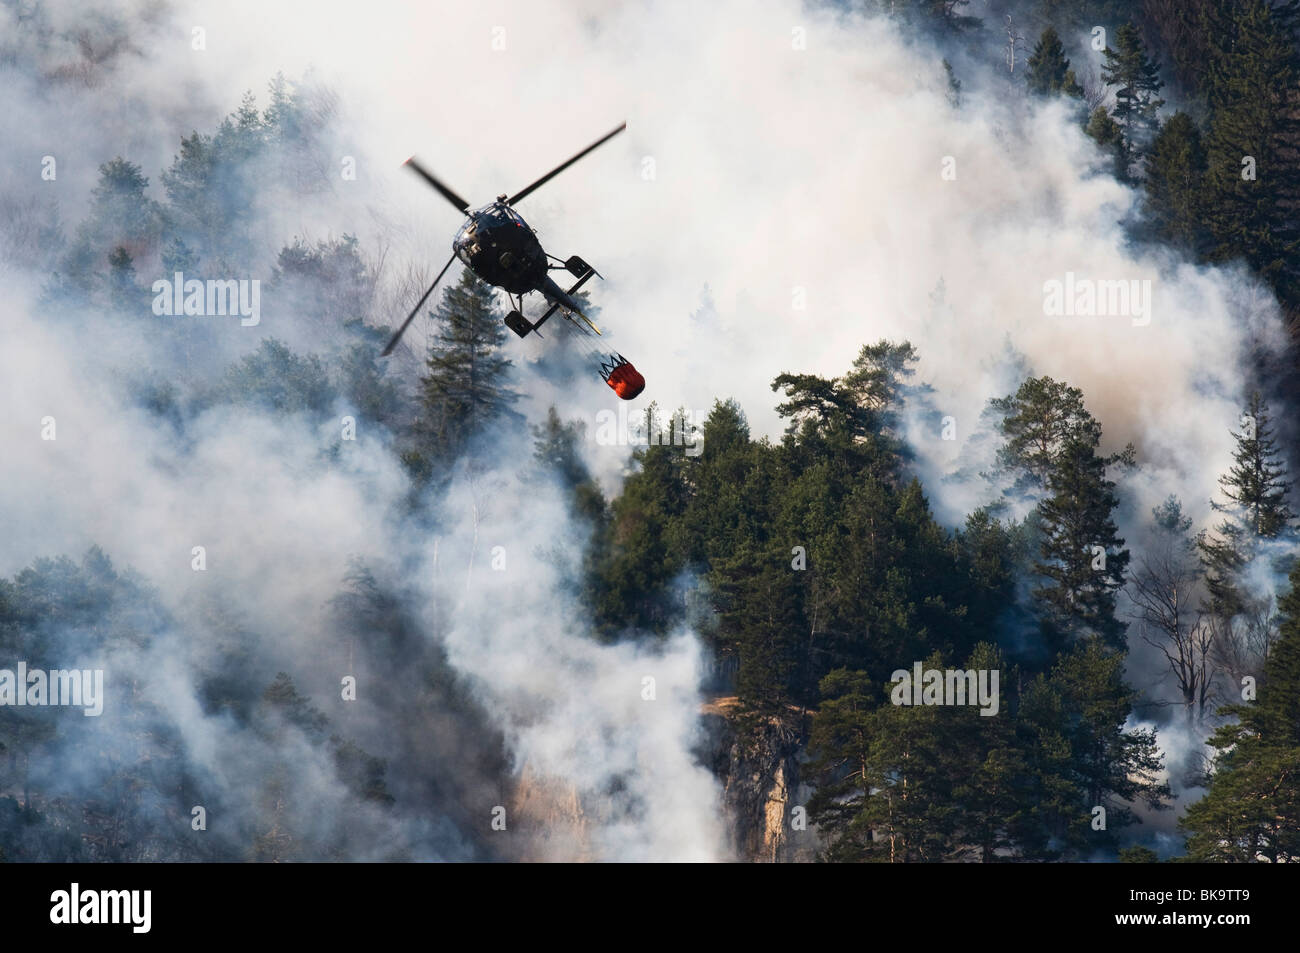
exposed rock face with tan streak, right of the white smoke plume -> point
(757, 761)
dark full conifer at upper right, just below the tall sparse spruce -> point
(1176, 172)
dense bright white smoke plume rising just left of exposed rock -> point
(618, 722)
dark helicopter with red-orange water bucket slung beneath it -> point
(499, 246)
